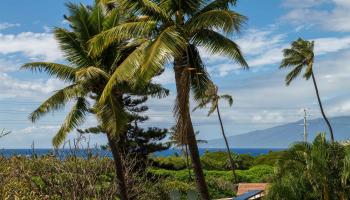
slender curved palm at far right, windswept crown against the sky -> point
(300, 56)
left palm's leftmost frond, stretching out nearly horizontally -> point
(60, 71)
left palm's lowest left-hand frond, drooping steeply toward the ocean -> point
(75, 117)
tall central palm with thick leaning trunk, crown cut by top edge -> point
(175, 29)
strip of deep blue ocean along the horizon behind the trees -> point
(62, 153)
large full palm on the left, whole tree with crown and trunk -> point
(87, 76)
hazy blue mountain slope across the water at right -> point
(284, 135)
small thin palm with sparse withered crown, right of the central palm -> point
(212, 97)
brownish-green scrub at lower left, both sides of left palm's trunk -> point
(74, 178)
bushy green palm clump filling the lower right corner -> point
(312, 171)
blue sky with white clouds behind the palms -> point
(261, 99)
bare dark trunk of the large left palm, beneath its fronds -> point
(120, 179)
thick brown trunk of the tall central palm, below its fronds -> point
(190, 135)
